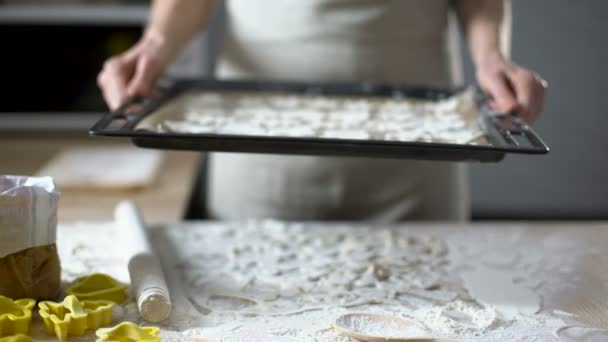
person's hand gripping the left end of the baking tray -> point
(135, 71)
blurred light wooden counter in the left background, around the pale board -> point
(165, 202)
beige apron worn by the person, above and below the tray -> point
(336, 40)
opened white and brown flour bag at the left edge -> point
(29, 264)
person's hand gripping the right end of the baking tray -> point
(512, 88)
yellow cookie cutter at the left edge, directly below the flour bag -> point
(15, 316)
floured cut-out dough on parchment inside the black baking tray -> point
(450, 120)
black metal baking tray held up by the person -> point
(505, 133)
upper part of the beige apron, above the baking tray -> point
(337, 40)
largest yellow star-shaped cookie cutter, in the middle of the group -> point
(73, 317)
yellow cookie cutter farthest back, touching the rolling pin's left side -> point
(98, 286)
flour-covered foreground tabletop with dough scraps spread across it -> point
(273, 281)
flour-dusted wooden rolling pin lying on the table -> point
(147, 277)
